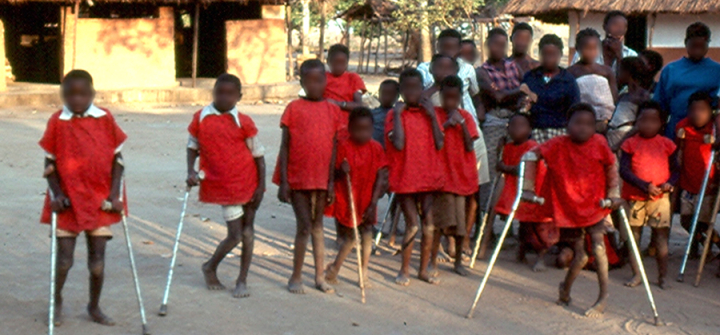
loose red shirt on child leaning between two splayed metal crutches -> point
(576, 180)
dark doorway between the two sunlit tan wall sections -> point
(212, 43)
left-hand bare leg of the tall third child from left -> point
(301, 206)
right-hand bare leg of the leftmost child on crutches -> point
(96, 265)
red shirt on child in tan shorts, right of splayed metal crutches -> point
(650, 162)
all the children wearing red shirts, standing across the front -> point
(420, 149)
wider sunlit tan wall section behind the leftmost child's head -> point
(122, 53)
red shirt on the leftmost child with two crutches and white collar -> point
(84, 150)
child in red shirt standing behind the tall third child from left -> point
(344, 88)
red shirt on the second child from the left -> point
(230, 171)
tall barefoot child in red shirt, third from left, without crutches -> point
(306, 167)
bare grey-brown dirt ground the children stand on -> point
(516, 300)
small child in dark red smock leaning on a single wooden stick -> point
(364, 160)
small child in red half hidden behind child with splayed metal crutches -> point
(537, 231)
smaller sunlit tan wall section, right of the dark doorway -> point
(256, 50)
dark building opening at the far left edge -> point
(33, 41)
